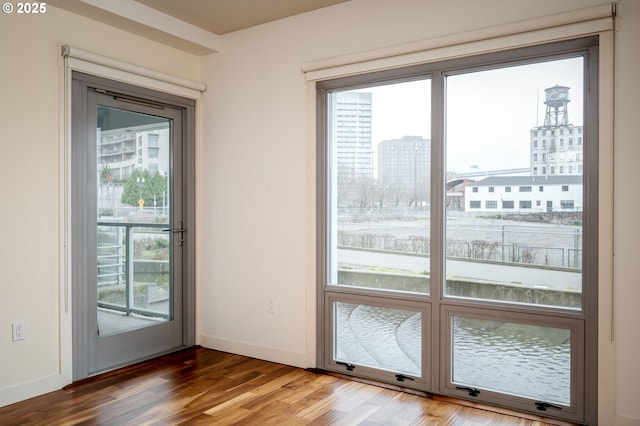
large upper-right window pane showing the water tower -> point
(514, 164)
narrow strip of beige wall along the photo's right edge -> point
(627, 205)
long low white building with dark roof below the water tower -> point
(524, 194)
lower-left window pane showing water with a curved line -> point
(378, 337)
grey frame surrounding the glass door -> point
(76, 264)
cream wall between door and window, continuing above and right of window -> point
(257, 181)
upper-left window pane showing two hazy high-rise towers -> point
(379, 187)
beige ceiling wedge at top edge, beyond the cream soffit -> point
(225, 16)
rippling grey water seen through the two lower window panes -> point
(518, 359)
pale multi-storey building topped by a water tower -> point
(556, 146)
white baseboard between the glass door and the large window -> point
(295, 359)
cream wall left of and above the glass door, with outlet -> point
(31, 279)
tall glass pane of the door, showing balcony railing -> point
(134, 273)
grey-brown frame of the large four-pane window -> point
(585, 410)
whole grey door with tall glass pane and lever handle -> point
(129, 182)
